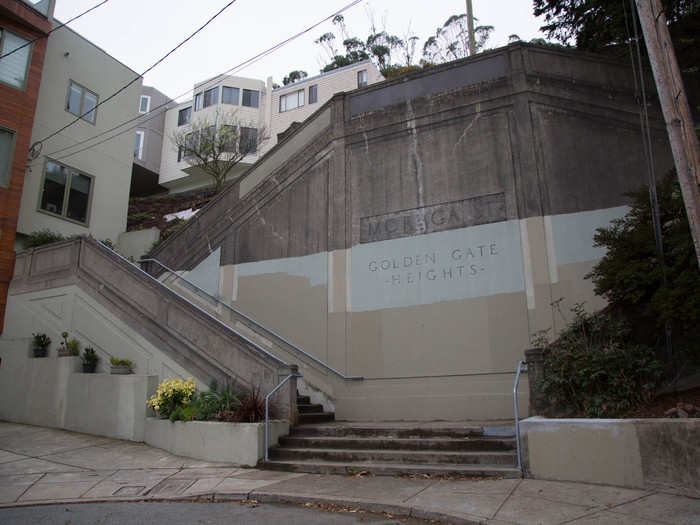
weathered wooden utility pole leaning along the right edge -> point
(676, 110)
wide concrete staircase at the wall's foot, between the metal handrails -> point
(321, 445)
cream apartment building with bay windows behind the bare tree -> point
(261, 110)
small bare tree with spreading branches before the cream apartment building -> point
(217, 147)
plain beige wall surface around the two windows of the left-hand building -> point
(71, 57)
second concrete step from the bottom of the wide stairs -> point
(393, 456)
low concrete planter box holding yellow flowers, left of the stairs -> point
(238, 443)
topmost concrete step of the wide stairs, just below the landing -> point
(387, 430)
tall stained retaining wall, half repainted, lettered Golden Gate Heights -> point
(422, 229)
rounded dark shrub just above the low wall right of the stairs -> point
(594, 369)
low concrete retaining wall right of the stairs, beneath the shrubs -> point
(639, 453)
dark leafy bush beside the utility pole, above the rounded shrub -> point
(631, 277)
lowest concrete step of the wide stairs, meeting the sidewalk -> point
(390, 469)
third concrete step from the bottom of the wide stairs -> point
(382, 443)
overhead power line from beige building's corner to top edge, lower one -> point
(155, 111)
